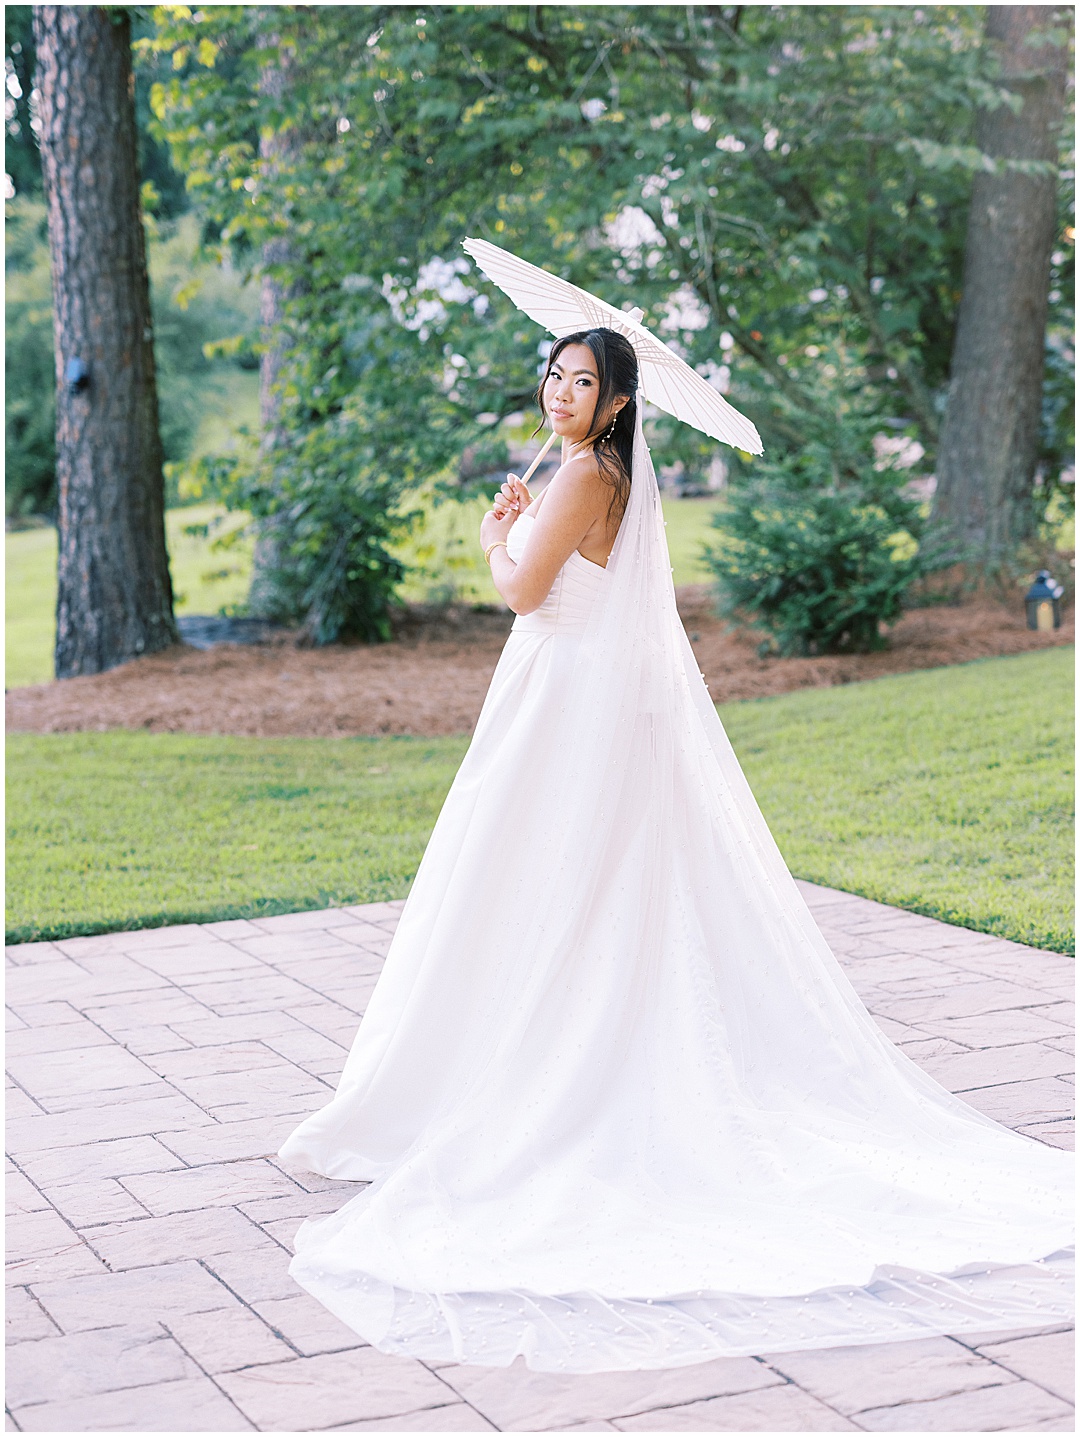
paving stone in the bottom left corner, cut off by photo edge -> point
(192, 1406)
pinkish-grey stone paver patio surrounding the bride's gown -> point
(154, 1074)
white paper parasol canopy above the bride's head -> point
(666, 380)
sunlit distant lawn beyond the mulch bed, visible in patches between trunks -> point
(444, 554)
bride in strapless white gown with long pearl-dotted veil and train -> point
(615, 1100)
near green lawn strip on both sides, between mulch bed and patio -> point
(947, 793)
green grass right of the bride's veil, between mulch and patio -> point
(947, 793)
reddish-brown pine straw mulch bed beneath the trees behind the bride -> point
(433, 679)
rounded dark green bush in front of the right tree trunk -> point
(819, 551)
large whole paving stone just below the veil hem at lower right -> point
(854, 1379)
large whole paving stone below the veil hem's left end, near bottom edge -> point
(324, 1392)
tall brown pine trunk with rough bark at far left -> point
(114, 596)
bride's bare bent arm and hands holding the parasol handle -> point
(575, 502)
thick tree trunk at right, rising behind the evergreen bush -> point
(990, 438)
